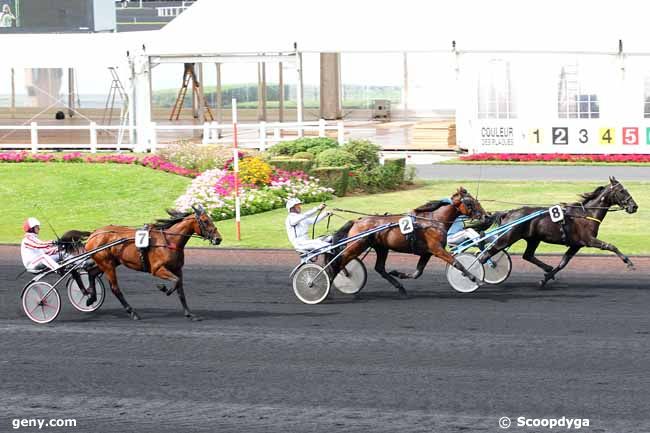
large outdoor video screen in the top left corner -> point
(61, 16)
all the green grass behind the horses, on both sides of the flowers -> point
(88, 196)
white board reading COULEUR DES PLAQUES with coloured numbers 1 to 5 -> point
(564, 136)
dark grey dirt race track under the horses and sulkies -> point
(261, 361)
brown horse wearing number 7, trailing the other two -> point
(164, 258)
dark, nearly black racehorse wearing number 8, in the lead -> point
(582, 221)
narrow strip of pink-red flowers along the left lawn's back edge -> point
(150, 161)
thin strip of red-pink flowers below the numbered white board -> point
(557, 157)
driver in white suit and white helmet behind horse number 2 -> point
(297, 225)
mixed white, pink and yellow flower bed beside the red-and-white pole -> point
(214, 189)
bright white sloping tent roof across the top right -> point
(249, 26)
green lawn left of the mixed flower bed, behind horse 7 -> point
(82, 196)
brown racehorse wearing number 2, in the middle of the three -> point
(429, 238)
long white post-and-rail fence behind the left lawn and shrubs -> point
(250, 135)
